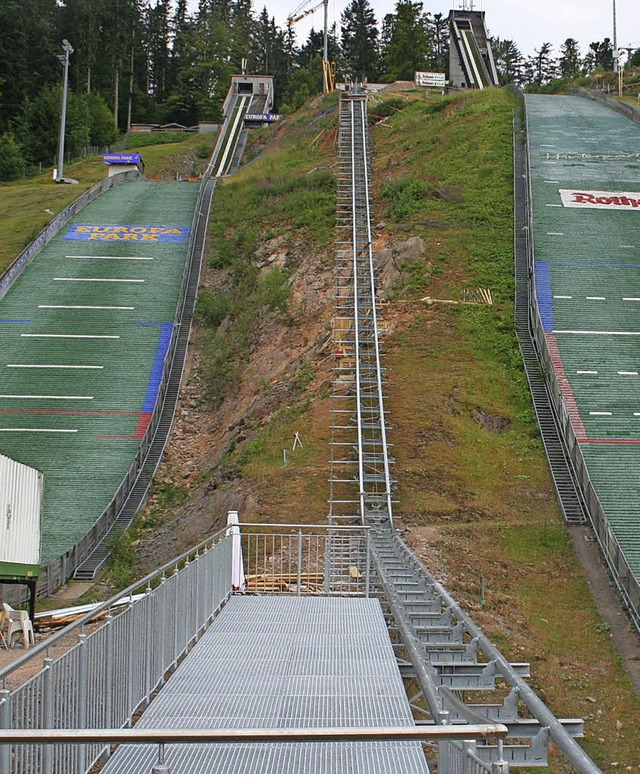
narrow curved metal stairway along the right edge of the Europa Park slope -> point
(88, 569)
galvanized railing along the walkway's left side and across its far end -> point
(122, 651)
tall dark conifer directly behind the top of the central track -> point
(360, 41)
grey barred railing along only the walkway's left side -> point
(114, 666)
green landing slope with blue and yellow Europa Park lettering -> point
(83, 337)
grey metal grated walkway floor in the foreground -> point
(285, 662)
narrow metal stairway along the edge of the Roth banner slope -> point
(568, 491)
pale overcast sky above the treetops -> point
(528, 24)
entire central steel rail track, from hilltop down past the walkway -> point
(444, 657)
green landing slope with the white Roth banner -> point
(585, 175)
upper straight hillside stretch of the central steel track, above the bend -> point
(355, 294)
